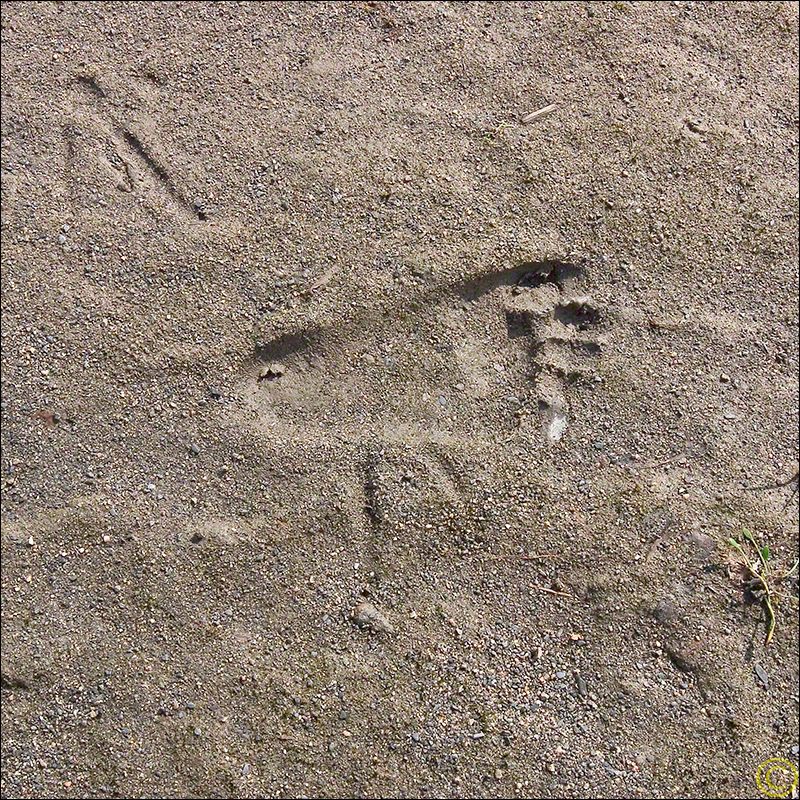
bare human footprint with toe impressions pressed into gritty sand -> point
(471, 361)
